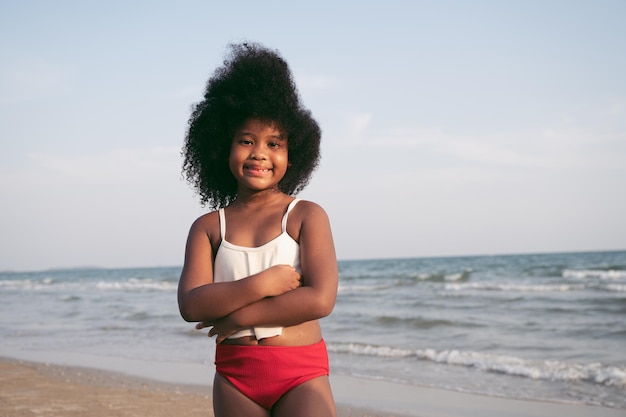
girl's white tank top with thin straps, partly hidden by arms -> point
(233, 262)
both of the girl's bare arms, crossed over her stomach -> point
(278, 296)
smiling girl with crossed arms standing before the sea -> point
(261, 269)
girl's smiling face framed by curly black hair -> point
(258, 156)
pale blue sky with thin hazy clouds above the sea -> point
(449, 127)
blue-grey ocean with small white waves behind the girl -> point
(541, 327)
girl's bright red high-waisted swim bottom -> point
(265, 373)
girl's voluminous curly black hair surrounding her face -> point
(254, 82)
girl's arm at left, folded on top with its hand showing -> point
(200, 299)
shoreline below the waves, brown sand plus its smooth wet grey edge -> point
(187, 385)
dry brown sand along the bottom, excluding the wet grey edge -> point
(38, 389)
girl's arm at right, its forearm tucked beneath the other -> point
(316, 297)
